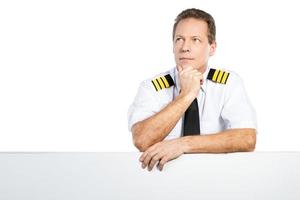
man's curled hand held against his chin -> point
(190, 81)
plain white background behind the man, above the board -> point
(70, 69)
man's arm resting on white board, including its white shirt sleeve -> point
(237, 113)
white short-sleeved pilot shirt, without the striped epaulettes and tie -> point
(221, 106)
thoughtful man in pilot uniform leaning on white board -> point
(192, 108)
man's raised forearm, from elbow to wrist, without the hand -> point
(157, 127)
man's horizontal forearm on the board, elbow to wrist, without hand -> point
(232, 140)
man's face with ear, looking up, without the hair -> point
(190, 45)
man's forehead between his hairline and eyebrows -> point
(191, 27)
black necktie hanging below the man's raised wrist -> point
(191, 125)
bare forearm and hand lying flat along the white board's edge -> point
(232, 140)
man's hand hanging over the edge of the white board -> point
(161, 153)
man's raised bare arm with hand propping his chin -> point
(155, 128)
